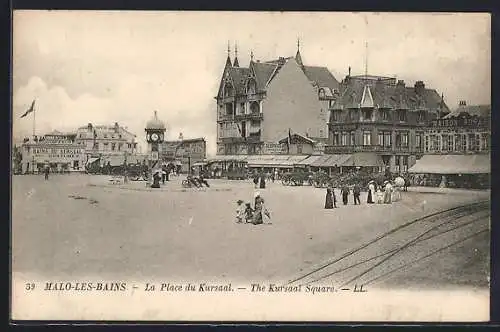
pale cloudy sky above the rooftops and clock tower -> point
(105, 67)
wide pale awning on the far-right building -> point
(453, 164)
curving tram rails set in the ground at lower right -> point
(401, 247)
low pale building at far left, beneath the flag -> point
(57, 150)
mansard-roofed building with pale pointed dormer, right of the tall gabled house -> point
(383, 117)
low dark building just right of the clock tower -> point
(185, 151)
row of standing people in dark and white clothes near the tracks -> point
(376, 194)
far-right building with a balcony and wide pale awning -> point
(457, 149)
